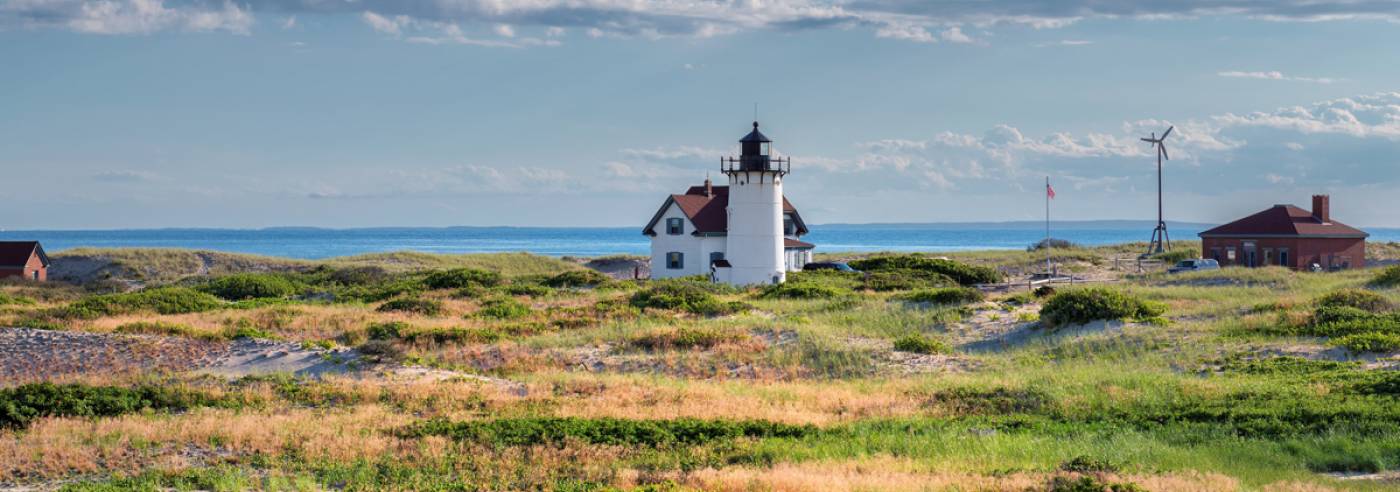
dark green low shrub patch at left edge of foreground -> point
(20, 406)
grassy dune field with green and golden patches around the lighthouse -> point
(544, 376)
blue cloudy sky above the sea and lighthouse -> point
(131, 114)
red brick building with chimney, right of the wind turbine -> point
(1289, 236)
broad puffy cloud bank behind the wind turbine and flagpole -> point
(1331, 145)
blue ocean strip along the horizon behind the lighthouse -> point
(594, 242)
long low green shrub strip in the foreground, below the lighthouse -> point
(605, 431)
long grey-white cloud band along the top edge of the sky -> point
(904, 20)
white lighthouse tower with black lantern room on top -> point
(754, 246)
